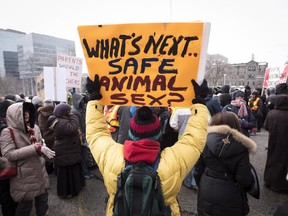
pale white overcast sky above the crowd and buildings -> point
(238, 28)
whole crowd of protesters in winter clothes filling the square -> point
(204, 147)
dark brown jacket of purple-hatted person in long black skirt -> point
(67, 145)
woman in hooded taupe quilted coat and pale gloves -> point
(31, 183)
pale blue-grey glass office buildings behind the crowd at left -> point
(23, 56)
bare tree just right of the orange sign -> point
(215, 72)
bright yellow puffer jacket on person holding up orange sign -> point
(175, 161)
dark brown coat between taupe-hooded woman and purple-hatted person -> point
(43, 114)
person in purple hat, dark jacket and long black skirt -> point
(70, 179)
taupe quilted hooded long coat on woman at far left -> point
(32, 178)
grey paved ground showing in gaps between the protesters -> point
(90, 201)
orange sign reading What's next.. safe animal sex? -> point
(146, 64)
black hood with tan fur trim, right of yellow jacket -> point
(217, 135)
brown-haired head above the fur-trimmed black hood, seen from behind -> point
(226, 118)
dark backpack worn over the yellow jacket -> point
(139, 191)
